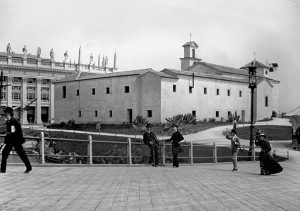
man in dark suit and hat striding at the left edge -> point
(13, 139)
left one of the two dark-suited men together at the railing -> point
(150, 139)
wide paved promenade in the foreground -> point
(197, 187)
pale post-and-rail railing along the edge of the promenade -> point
(193, 152)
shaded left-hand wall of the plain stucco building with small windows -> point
(116, 101)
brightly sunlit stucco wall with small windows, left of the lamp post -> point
(205, 105)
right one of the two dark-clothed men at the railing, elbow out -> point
(176, 138)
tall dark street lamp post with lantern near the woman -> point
(252, 86)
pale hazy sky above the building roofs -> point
(150, 33)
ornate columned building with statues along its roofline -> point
(27, 82)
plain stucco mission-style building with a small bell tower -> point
(203, 89)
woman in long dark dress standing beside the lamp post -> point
(267, 164)
